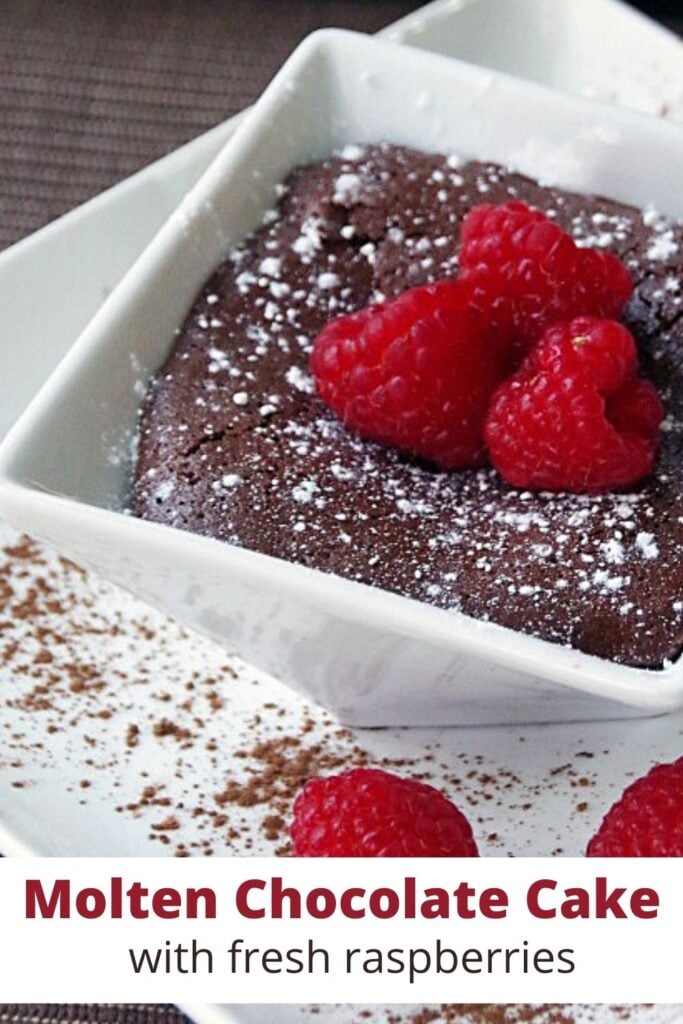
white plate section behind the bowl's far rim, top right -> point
(600, 49)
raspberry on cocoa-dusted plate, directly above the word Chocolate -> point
(367, 813)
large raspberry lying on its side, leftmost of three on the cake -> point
(416, 372)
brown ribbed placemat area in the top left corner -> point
(92, 91)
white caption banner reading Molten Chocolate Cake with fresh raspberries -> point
(334, 929)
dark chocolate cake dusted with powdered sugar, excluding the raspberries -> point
(235, 444)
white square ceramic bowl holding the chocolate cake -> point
(369, 656)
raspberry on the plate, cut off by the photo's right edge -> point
(648, 821)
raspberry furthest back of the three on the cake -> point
(525, 274)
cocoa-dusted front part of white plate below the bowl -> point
(199, 754)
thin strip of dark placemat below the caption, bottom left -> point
(75, 1013)
